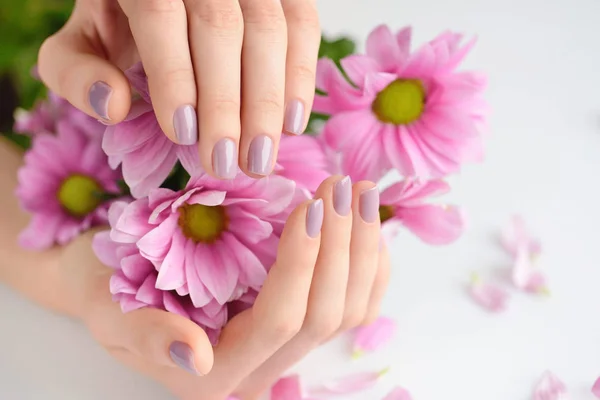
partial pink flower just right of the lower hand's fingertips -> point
(404, 204)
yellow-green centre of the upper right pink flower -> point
(401, 102)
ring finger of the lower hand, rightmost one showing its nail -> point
(364, 253)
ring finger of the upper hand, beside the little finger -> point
(263, 78)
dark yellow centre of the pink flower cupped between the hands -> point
(202, 223)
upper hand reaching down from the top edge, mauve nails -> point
(230, 69)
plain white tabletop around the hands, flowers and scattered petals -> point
(543, 59)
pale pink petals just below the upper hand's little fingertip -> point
(303, 160)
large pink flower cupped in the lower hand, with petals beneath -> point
(214, 242)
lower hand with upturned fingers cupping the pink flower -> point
(330, 276)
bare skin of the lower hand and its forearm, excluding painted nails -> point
(318, 288)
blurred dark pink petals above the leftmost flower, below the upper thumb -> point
(46, 115)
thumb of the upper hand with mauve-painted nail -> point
(72, 69)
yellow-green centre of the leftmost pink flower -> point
(79, 195)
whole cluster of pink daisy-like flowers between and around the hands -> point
(202, 247)
